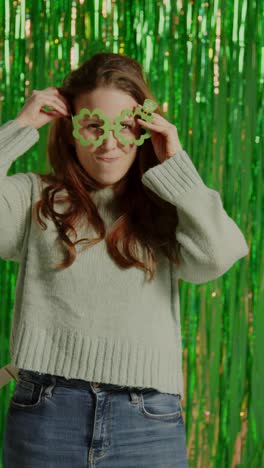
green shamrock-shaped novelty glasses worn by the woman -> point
(92, 131)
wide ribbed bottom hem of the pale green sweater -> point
(104, 359)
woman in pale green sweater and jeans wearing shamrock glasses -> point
(98, 345)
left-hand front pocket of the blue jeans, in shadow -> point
(27, 394)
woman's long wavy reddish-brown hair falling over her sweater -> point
(145, 219)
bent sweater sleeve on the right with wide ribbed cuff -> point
(210, 241)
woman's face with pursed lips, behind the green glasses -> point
(112, 102)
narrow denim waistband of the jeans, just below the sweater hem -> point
(47, 379)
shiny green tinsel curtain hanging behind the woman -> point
(204, 64)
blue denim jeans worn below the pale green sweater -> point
(54, 422)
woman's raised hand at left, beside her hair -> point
(32, 113)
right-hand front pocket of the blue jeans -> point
(161, 406)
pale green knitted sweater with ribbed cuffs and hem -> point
(94, 320)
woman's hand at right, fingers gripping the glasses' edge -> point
(164, 136)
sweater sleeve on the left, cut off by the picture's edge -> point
(15, 190)
